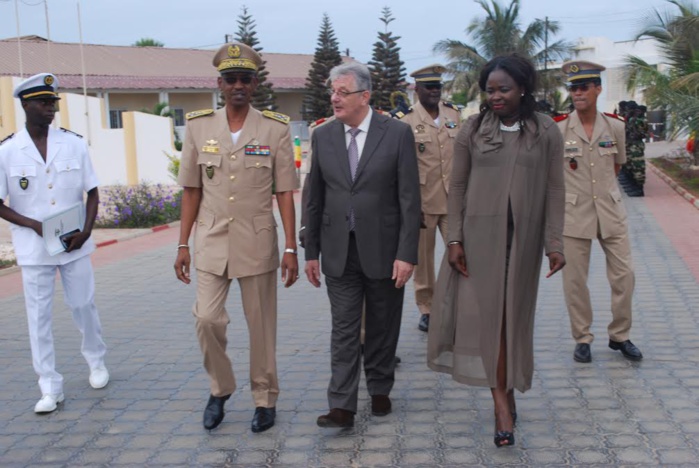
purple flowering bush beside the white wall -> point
(141, 206)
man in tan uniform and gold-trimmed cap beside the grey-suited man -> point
(231, 160)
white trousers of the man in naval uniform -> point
(79, 294)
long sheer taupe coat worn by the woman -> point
(467, 312)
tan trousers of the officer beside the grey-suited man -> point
(259, 297)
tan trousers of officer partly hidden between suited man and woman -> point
(424, 270)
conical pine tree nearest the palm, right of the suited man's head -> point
(387, 71)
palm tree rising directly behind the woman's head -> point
(498, 33)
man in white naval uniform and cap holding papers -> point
(45, 171)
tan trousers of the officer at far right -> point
(621, 279)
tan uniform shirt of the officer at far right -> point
(593, 198)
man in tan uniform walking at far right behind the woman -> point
(594, 152)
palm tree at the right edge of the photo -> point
(676, 89)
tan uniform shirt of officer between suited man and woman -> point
(435, 151)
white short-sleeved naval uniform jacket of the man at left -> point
(50, 187)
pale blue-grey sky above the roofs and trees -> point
(293, 27)
